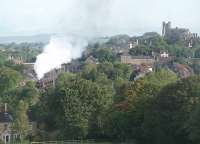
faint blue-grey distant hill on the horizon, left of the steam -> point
(20, 39)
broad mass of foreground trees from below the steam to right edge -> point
(99, 104)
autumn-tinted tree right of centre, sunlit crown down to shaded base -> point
(132, 100)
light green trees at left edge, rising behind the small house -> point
(20, 95)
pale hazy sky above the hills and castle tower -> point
(95, 17)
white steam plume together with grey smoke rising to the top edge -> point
(81, 26)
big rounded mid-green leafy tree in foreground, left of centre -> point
(76, 102)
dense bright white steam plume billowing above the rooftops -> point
(61, 49)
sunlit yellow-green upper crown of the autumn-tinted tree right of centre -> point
(150, 85)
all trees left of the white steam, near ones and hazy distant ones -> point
(16, 90)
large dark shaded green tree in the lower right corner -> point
(165, 121)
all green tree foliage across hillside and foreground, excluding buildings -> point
(104, 100)
